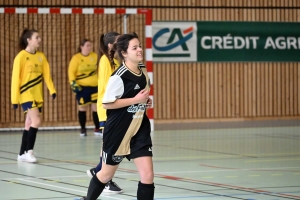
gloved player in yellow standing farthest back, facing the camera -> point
(83, 80)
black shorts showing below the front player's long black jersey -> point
(115, 160)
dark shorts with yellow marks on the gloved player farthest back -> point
(87, 95)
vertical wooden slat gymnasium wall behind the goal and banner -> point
(188, 92)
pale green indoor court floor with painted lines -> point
(261, 163)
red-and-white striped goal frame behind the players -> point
(90, 11)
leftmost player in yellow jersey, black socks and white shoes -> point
(29, 69)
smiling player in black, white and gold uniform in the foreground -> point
(127, 129)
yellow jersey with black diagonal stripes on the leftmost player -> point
(28, 72)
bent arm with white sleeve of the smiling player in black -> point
(115, 90)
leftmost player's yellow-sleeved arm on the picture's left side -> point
(15, 81)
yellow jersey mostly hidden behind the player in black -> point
(104, 72)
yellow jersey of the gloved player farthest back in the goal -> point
(82, 69)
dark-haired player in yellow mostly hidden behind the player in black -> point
(107, 65)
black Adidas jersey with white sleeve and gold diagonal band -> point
(127, 129)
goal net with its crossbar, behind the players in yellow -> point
(61, 30)
